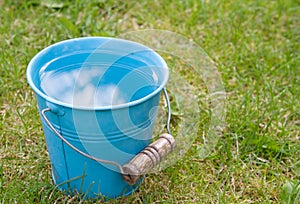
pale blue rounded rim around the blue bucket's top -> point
(106, 107)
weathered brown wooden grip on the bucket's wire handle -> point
(148, 158)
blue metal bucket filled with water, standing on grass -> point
(98, 97)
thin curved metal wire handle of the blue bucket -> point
(94, 158)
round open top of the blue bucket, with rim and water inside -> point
(97, 73)
